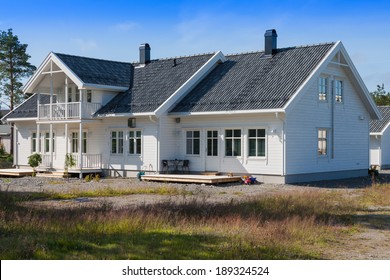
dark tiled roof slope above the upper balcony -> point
(99, 71)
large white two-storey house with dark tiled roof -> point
(284, 115)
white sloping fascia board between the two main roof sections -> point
(190, 83)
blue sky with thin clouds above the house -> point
(114, 29)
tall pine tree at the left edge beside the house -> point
(14, 66)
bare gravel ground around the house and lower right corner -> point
(370, 242)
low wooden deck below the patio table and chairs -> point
(190, 178)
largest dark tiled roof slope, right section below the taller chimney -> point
(251, 81)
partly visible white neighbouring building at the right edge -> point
(380, 139)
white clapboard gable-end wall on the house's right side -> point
(351, 130)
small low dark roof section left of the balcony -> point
(28, 109)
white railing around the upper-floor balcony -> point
(70, 110)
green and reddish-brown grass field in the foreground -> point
(291, 225)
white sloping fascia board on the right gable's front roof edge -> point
(323, 63)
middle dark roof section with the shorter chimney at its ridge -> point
(154, 83)
